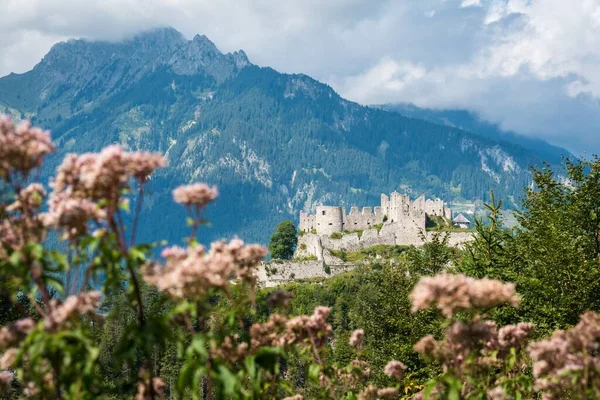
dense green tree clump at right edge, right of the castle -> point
(553, 255)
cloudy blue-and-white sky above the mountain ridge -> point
(530, 65)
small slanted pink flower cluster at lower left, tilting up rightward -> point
(83, 303)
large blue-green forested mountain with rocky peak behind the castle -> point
(274, 143)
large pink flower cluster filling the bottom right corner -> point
(569, 360)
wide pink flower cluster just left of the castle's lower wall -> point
(190, 273)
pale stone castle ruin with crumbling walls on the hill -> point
(397, 221)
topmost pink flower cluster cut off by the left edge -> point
(22, 148)
